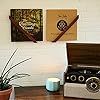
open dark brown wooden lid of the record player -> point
(83, 54)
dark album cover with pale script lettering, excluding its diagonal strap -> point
(28, 20)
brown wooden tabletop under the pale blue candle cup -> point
(39, 93)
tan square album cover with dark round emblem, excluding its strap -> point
(57, 20)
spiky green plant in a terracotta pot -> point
(5, 78)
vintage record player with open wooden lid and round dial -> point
(82, 76)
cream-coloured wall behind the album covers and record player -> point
(48, 59)
